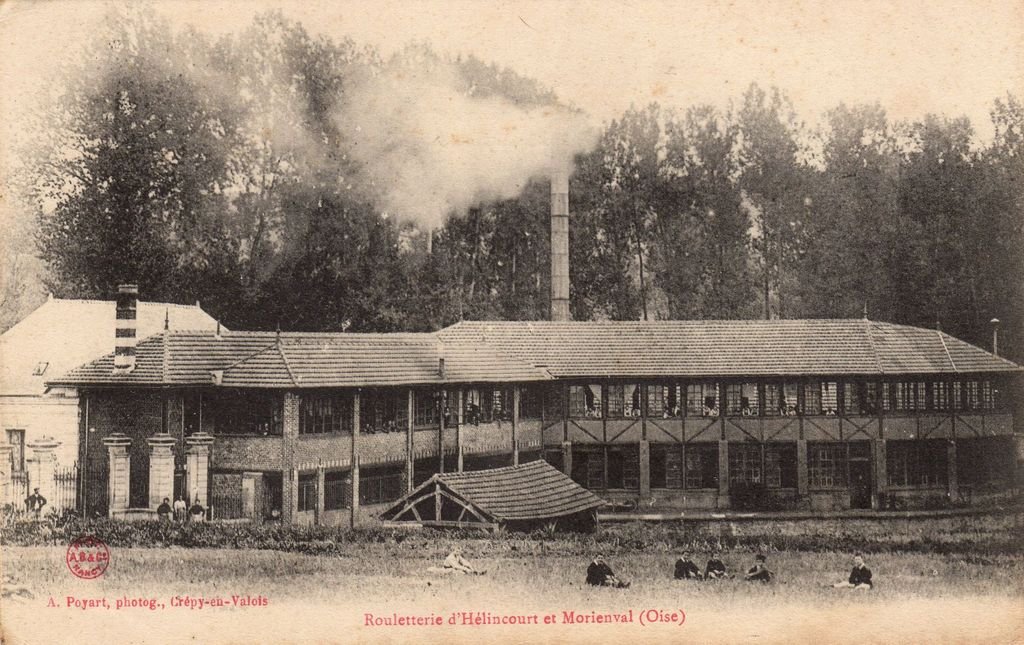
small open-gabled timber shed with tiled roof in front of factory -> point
(521, 497)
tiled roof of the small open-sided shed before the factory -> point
(530, 492)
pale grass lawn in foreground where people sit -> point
(918, 597)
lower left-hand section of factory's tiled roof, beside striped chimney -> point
(269, 360)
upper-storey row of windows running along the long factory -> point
(255, 412)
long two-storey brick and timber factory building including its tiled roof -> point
(754, 415)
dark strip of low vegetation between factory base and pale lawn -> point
(973, 537)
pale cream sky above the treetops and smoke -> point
(913, 58)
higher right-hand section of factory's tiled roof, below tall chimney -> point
(722, 349)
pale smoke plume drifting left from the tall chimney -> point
(432, 148)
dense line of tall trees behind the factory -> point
(214, 170)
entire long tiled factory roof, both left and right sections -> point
(507, 352)
